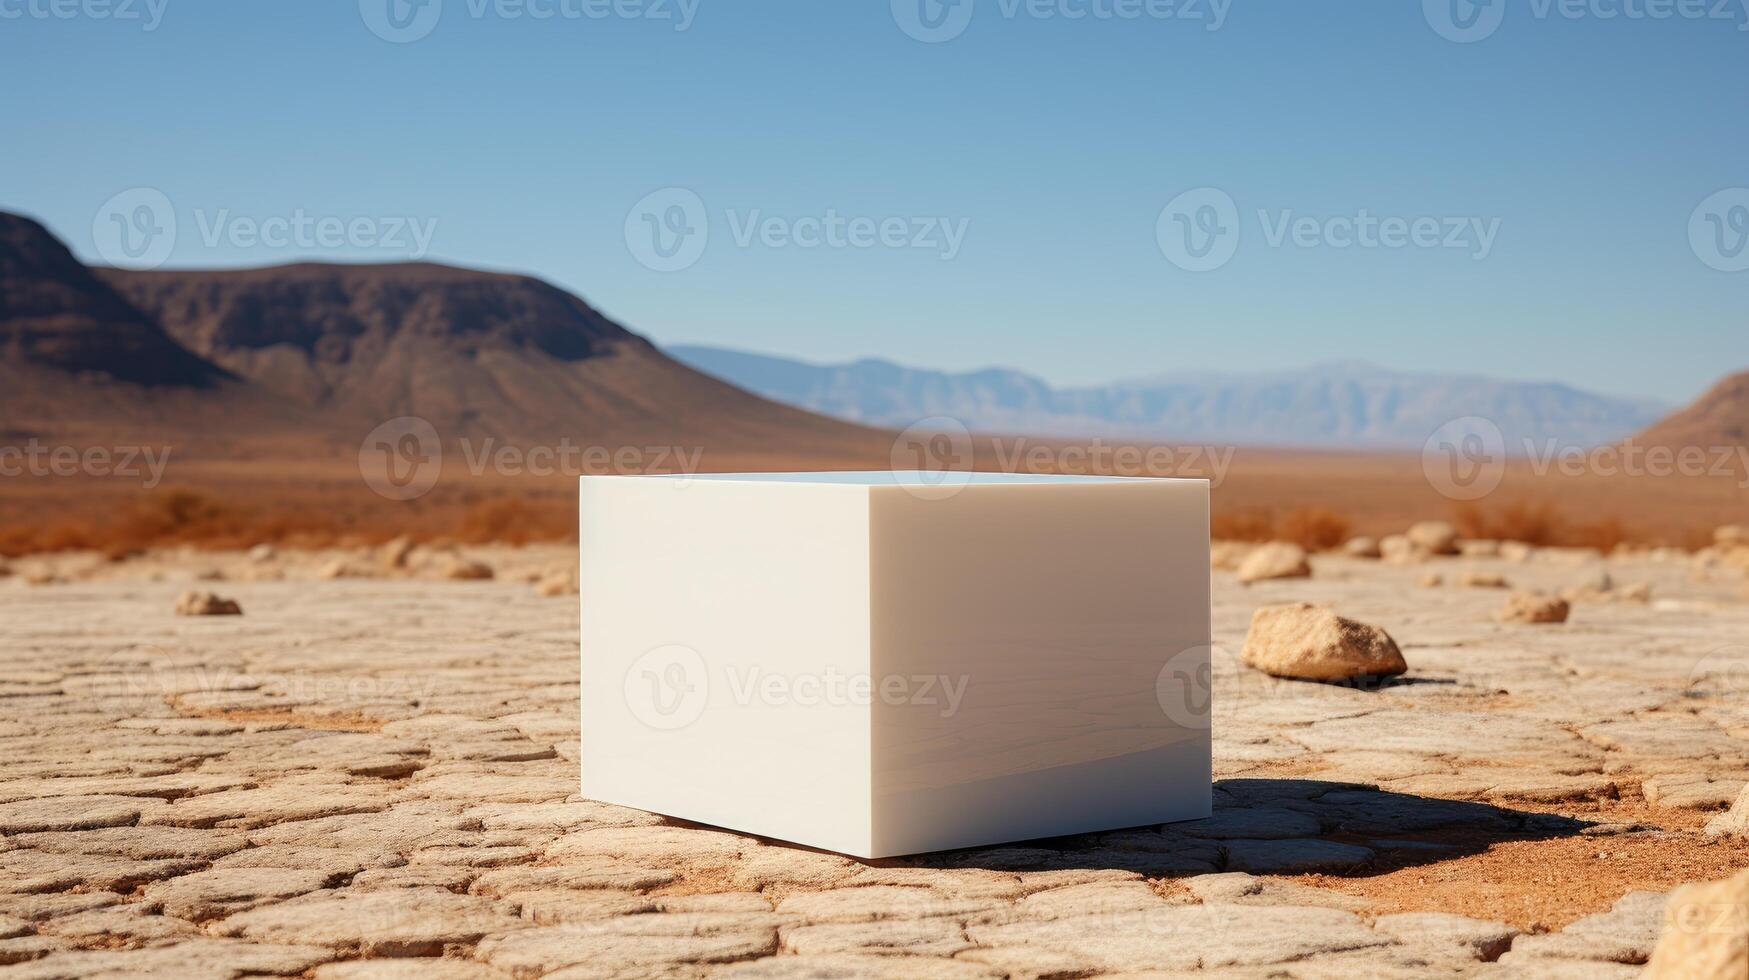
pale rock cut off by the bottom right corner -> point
(1706, 934)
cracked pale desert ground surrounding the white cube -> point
(370, 773)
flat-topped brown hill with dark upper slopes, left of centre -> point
(473, 353)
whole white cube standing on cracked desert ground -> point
(889, 664)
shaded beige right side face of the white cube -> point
(1047, 655)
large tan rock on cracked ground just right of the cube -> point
(1309, 641)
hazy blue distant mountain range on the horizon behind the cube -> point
(1339, 405)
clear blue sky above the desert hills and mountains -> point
(1057, 143)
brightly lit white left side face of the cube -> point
(721, 624)
